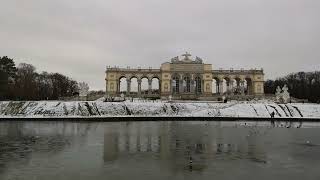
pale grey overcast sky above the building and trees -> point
(79, 38)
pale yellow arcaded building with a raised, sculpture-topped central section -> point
(187, 78)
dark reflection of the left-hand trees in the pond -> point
(18, 140)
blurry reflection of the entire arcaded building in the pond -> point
(179, 145)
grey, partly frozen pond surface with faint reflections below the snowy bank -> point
(159, 150)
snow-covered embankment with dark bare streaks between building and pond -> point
(39, 109)
